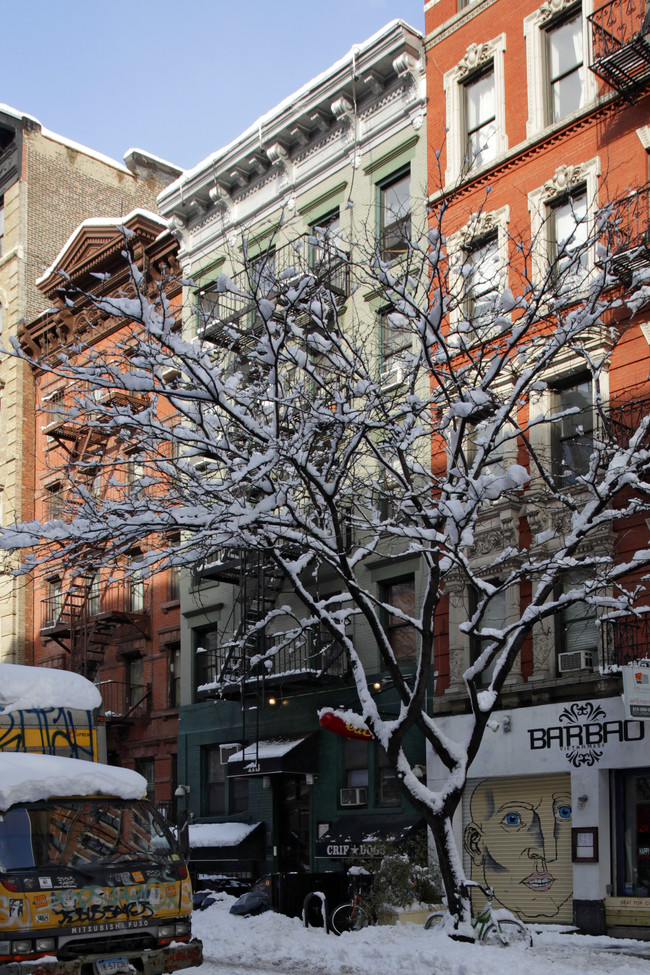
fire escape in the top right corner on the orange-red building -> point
(621, 46)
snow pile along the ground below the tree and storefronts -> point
(273, 942)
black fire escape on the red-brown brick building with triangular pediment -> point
(88, 617)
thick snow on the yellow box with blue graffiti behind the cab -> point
(42, 687)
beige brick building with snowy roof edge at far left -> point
(48, 185)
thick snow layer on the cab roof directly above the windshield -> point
(26, 777)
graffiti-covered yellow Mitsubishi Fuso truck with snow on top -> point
(91, 879)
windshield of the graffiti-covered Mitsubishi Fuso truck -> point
(79, 832)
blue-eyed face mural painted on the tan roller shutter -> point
(519, 842)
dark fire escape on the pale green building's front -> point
(243, 666)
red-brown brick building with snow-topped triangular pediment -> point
(119, 630)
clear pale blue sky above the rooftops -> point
(179, 79)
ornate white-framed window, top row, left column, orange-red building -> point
(475, 109)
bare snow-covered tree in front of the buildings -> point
(297, 436)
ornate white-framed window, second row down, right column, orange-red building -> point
(562, 217)
